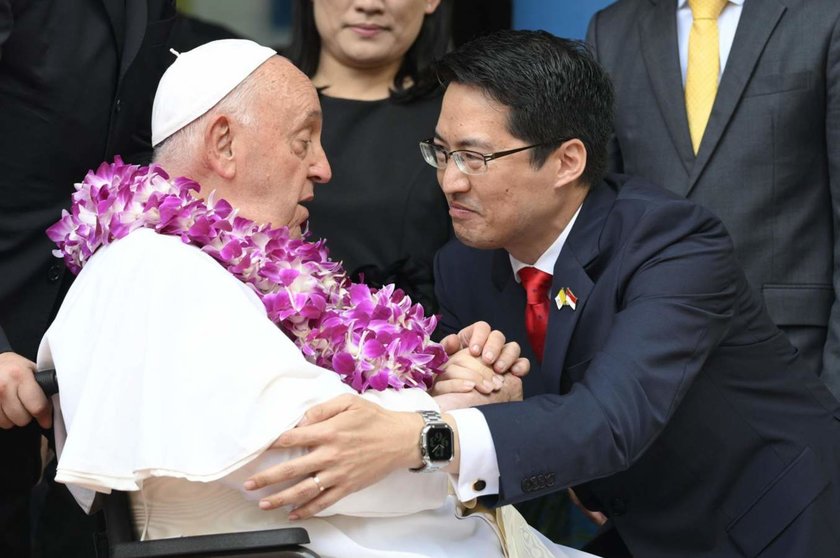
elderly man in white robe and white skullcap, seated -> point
(174, 381)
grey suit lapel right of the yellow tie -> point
(757, 22)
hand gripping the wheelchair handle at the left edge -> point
(21, 399)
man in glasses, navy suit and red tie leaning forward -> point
(663, 392)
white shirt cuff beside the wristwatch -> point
(478, 474)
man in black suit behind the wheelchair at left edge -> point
(76, 86)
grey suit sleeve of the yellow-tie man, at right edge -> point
(831, 355)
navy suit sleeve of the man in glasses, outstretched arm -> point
(675, 294)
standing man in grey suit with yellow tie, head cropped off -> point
(768, 159)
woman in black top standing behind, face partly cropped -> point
(383, 212)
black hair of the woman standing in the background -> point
(432, 42)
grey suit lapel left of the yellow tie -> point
(660, 51)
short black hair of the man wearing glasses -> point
(553, 87)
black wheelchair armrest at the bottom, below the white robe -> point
(273, 543)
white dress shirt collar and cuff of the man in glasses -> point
(478, 473)
